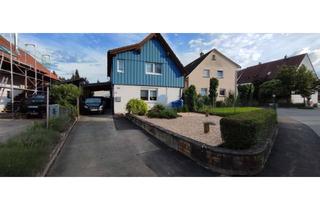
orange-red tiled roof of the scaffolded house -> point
(25, 58)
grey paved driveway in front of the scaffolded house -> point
(10, 127)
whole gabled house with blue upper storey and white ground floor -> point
(148, 70)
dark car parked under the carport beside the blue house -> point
(94, 105)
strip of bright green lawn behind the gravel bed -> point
(227, 111)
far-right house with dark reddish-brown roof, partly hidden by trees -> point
(268, 71)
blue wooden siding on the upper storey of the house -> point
(134, 64)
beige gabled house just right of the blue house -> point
(212, 64)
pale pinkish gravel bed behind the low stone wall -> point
(191, 125)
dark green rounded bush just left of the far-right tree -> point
(268, 88)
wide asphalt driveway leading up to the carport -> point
(107, 146)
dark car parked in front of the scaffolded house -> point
(36, 106)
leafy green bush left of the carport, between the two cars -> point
(65, 95)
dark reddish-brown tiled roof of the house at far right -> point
(267, 71)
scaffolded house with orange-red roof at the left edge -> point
(26, 80)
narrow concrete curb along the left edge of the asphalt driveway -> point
(56, 151)
